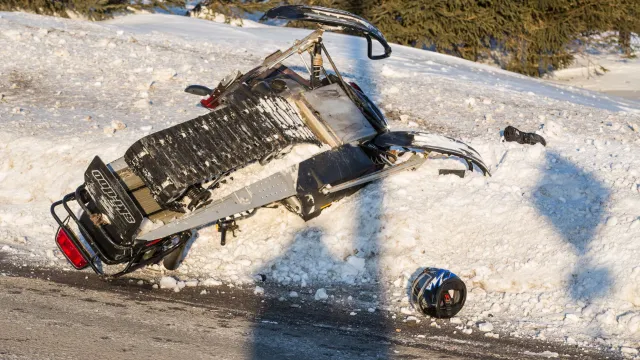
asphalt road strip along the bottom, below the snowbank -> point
(46, 314)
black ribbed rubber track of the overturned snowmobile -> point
(229, 138)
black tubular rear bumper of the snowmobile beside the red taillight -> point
(98, 247)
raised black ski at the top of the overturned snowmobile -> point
(333, 17)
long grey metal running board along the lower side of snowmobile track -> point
(276, 187)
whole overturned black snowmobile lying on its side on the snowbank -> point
(142, 207)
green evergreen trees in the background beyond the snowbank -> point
(527, 36)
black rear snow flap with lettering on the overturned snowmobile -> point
(112, 200)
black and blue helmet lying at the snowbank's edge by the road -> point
(438, 293)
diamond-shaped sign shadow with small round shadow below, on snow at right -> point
(574, 201)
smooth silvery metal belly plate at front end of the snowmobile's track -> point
(342, 116)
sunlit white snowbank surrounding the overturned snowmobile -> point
(548, 246)
